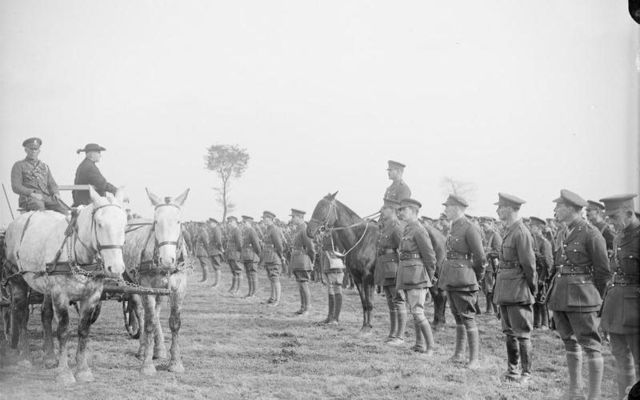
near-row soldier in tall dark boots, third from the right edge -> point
(516, 287)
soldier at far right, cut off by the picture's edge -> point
(621, 308)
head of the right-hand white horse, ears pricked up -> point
(167, 222)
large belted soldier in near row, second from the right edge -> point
(580, 275)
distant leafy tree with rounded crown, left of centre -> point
(228, 161)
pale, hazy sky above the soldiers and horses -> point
(519, 97)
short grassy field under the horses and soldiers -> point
(242, 349)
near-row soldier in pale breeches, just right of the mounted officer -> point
(416, 272)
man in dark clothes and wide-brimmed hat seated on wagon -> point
(88, 173)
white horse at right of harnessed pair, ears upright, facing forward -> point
(151, 254)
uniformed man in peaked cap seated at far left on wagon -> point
(32, 180)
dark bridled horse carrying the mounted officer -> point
(356, 238)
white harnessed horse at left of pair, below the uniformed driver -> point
(66, 259)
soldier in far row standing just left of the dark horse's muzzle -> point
(302, 254)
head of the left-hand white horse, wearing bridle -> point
(108, 222)
